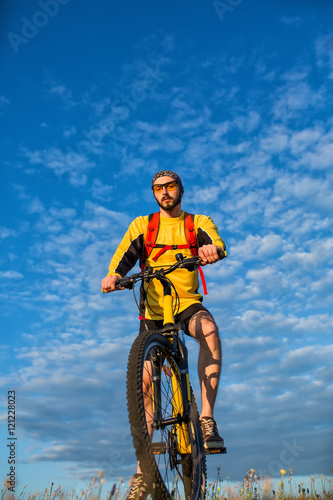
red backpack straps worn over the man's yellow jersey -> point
(151, 237)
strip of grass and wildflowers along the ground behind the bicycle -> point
(253, 487)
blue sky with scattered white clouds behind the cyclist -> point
(95, 97)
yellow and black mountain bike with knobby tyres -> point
(163, 414)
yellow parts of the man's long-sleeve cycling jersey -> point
(171, 232)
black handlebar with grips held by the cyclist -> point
(189, 263)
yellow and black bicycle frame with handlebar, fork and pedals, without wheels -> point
(181, 396)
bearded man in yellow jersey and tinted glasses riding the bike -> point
(171, 239)
